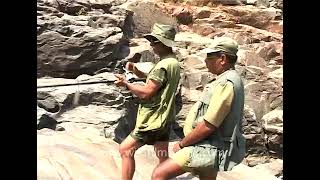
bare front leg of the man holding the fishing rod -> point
(127, 149)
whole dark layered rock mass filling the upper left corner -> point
(83, 38)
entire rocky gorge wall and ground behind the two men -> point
(81, 41)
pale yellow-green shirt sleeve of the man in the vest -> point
(220, 104)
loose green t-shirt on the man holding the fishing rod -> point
(155, 113)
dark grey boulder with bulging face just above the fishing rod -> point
(73, 56)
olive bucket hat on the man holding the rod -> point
(164, 33)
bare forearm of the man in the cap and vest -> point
(202, 130)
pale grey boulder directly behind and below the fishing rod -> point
(101, 106)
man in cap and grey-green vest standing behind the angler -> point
(213, 137)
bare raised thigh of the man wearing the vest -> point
(167, 170)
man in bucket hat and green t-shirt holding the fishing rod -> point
(157, 110)
